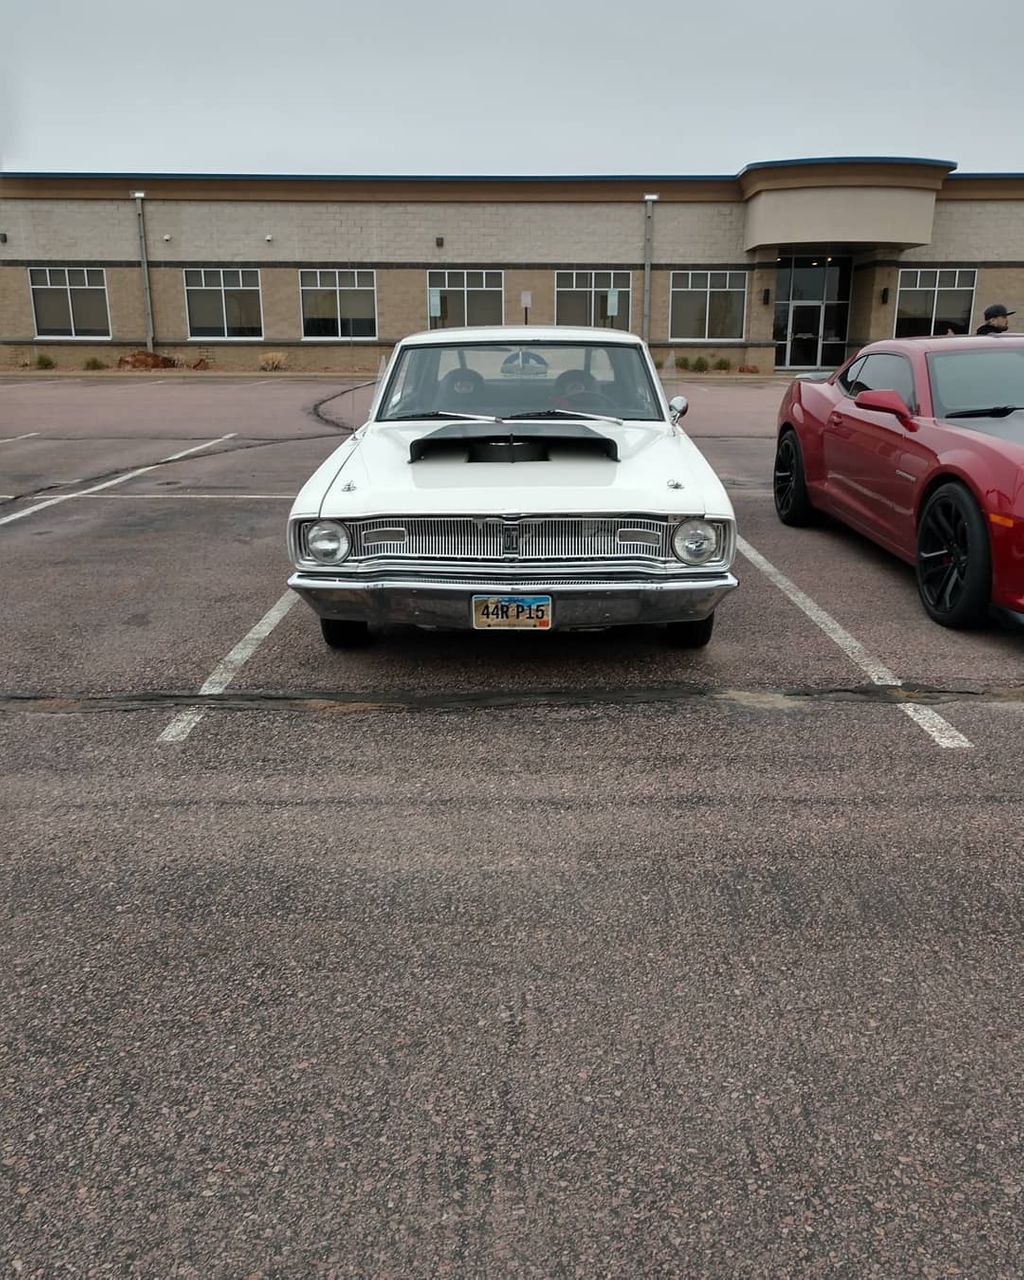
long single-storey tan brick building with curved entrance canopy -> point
(787, 266)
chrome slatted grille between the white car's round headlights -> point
(532, 538)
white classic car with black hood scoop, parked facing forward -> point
(516, 478)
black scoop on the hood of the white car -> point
(508, 442)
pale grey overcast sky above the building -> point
(483, 88)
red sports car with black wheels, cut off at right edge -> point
(920, 445)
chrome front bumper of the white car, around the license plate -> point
(420, 602)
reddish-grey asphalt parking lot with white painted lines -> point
(484, 956)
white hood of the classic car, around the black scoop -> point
(657, 469)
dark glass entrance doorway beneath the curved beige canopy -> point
(812, 312)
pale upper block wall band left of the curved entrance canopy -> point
(237, 232)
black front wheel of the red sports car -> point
(954, 560)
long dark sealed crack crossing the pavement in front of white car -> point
(335, 702)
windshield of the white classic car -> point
(520, 380)
